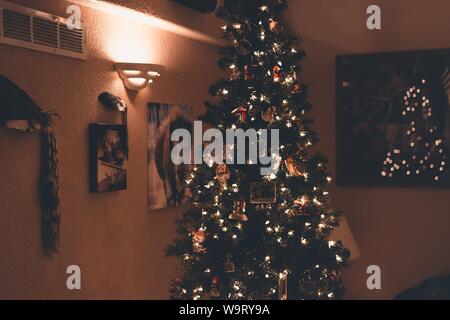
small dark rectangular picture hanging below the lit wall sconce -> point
(108, 157)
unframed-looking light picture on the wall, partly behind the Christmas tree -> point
(166, 181)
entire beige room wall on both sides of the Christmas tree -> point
(115, 240)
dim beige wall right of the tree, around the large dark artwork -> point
(404, 231)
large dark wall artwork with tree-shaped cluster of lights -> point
(393, 119)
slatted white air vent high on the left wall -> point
(31, 29)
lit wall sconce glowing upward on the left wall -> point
(137, 76)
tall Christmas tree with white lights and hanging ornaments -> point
(248, 236)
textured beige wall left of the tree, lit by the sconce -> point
(116, 241)
